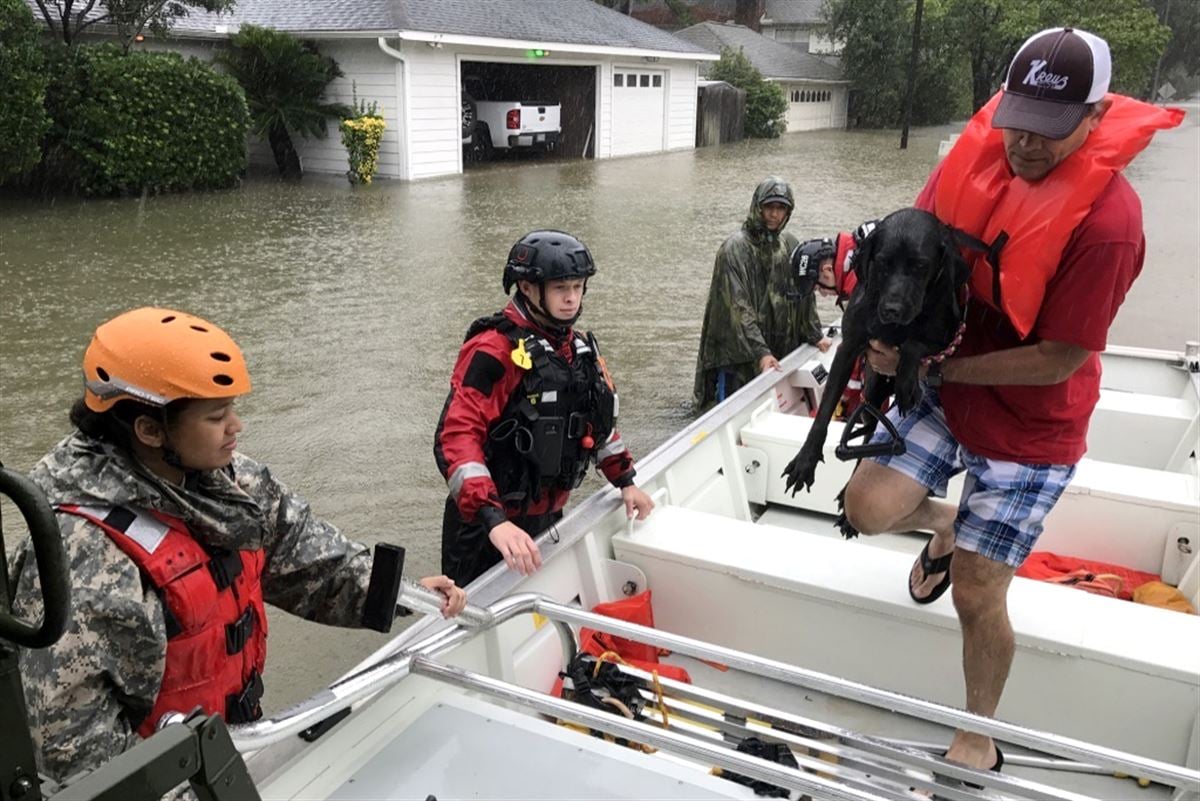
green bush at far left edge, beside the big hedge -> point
(23, 118)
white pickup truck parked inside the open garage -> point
(491, 125)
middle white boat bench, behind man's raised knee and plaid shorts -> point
(1118, 514)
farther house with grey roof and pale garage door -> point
(815, 86)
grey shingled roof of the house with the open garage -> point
(566, 22)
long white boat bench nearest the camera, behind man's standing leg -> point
(1107, 671)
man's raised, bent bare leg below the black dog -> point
(881, 501)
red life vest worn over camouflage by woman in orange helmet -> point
(213, 604)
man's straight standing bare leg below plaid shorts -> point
(981, 593)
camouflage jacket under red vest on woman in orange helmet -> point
(88, 694)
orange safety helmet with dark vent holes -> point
(158, 356)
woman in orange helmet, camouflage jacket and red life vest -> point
(157, 436)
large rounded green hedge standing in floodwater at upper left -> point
(142, 122)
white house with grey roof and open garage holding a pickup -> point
(411, 56)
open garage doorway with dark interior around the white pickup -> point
(573, 89)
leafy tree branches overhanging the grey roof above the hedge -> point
(69, 19)
